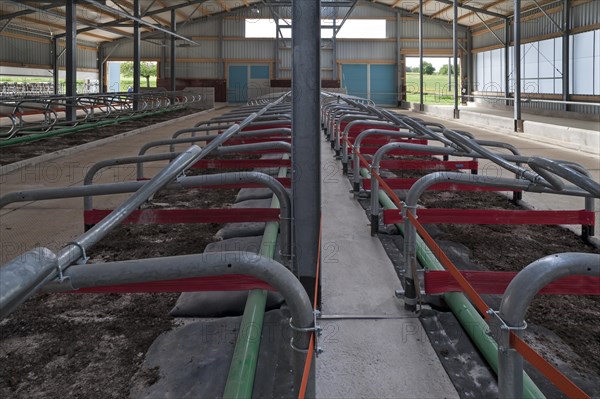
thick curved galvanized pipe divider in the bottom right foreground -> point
(515, 302)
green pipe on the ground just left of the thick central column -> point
(240, 380)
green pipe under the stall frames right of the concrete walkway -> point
(465, 312)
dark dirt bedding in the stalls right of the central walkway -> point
(511, 248)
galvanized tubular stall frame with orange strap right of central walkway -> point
(544, 175)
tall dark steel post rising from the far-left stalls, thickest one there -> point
(71, 58)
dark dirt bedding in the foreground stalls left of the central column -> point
(90, 346)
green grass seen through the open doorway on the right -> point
(435, 89)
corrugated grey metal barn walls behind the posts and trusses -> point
(208, 59)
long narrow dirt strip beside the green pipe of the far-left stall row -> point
(19, 152)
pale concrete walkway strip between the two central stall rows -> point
(390, 357)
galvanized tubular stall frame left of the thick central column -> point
(41, 269)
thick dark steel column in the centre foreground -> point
(306, 158)
